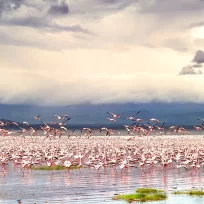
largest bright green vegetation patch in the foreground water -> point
(143, 195)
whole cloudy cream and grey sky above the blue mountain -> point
(70, 52)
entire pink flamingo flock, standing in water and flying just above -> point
(25, 147)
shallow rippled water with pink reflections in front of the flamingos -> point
(62, 187)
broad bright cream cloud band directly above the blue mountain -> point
(93, 76)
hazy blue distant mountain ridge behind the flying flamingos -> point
(171, 113)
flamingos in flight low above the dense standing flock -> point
(58, 127)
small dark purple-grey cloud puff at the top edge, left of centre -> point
(59, 9)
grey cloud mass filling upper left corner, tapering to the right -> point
(26, 14)
